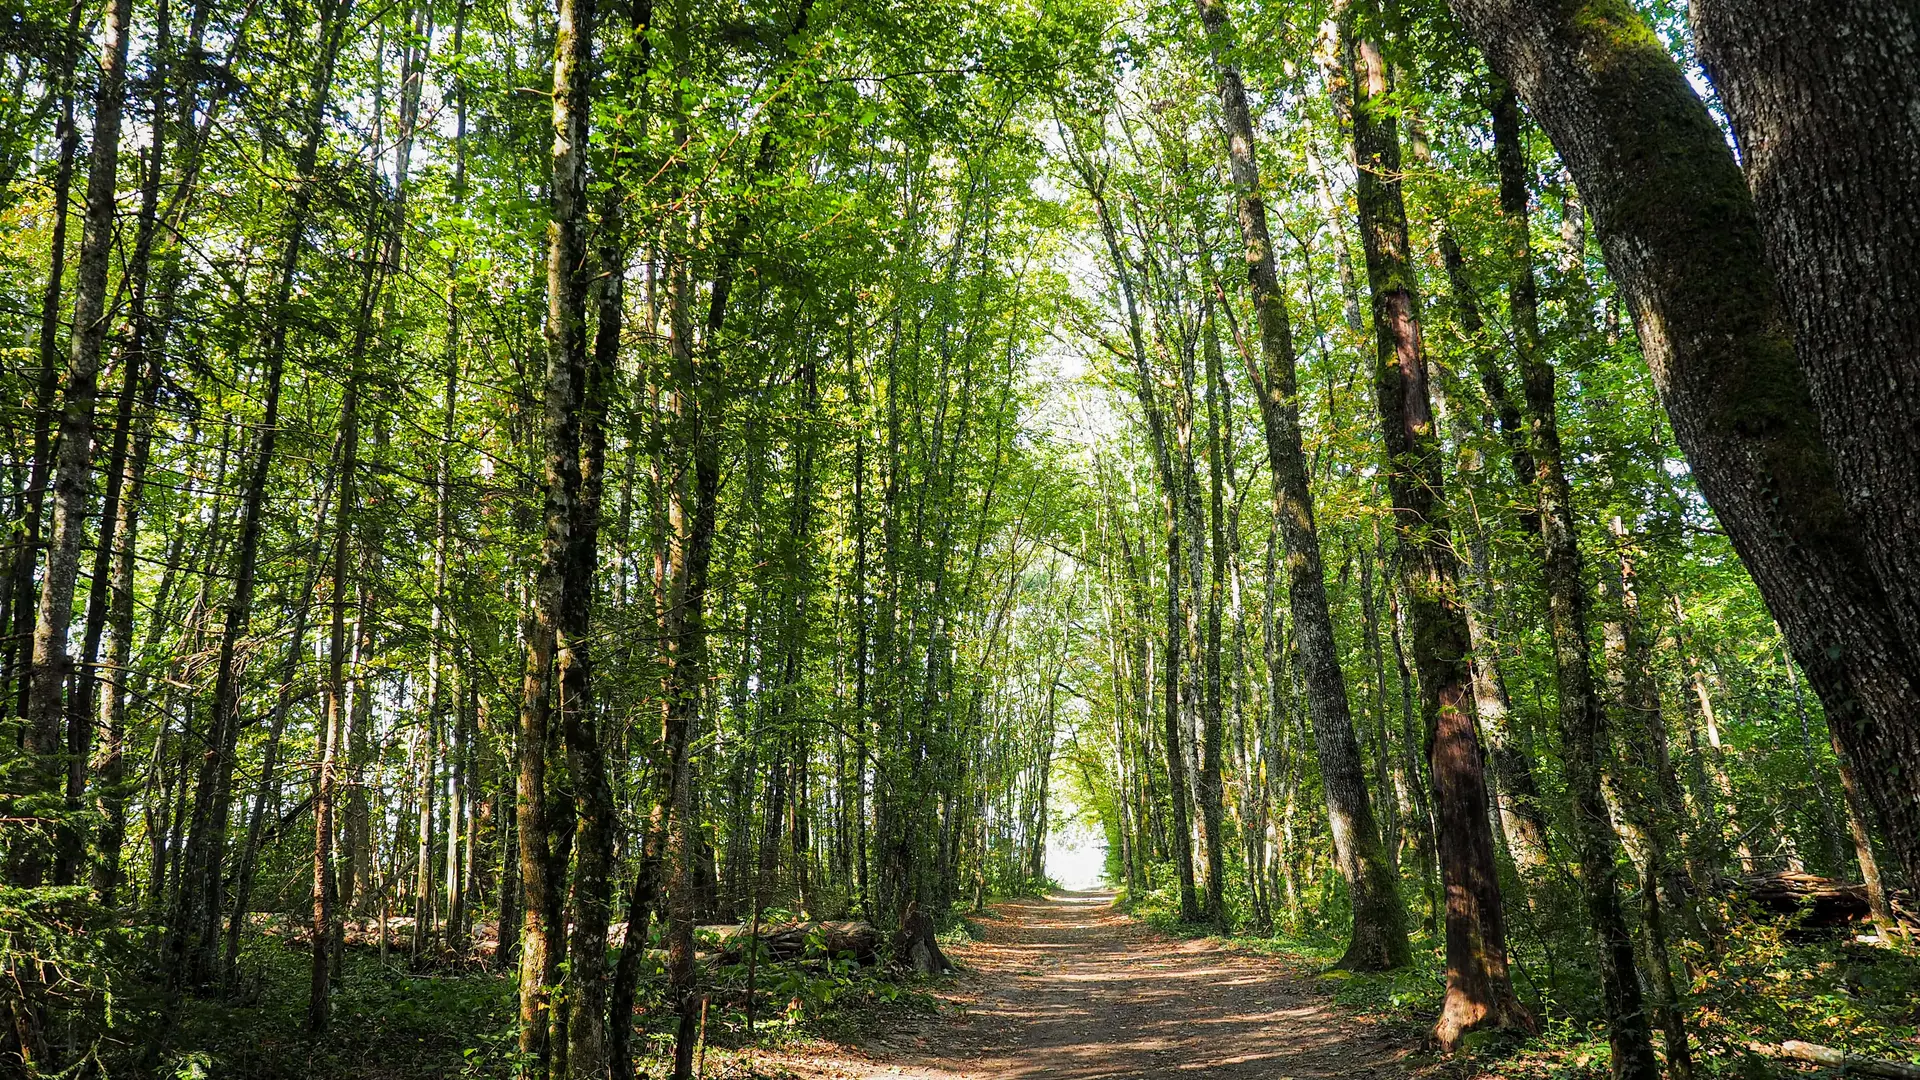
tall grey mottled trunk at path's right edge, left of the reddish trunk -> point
(1380, 937)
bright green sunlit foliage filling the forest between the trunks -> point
(938, 626)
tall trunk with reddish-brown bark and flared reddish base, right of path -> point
(1479, 993)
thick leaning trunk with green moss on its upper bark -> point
(1687, 251)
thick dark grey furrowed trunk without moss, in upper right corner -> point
(1825, 103)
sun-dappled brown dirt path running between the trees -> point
(1072, 989)
